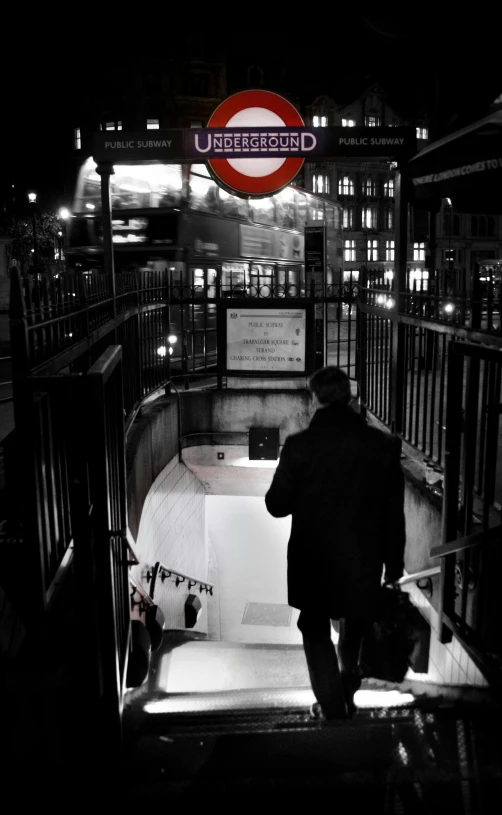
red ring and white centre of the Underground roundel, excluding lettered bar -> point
(258, 176)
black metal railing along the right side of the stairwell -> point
(431, 372)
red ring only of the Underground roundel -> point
(250, 184)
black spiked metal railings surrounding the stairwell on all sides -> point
(166, 324)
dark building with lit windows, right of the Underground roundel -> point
(366, 191)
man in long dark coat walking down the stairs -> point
(342, 482)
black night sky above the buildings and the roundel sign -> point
(452, 63)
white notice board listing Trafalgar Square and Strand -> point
(262, 340)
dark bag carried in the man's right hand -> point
(395, 641)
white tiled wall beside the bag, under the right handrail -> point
(448, 664)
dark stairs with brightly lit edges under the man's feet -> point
(258, 747)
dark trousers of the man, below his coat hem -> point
(334, 679)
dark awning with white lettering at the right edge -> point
(465, 166)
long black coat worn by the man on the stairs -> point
(342, 482)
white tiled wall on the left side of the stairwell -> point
(172, 531)
